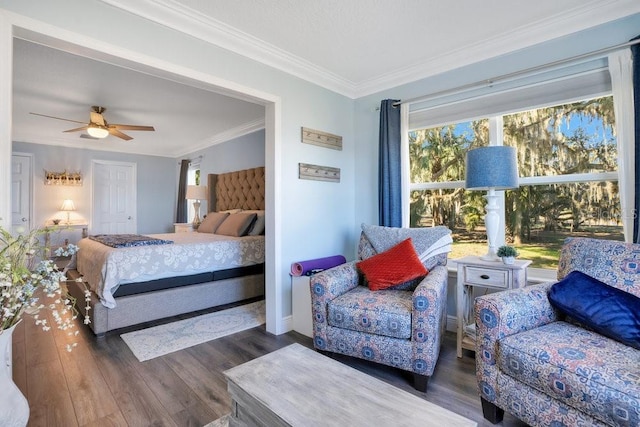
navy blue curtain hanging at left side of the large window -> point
(389, 171)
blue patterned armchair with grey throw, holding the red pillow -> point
(400, 327)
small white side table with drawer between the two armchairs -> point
(476, 273)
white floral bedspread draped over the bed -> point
(106, 268)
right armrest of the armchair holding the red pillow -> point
(428, 319)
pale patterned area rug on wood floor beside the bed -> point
(164, 339)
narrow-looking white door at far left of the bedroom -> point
(20, 192)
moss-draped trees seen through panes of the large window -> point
(550, 141)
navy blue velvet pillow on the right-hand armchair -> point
(607, 310)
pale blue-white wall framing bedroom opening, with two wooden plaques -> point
(315, 218)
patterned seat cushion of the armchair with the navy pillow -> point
(578, 367)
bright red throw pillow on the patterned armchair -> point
(393, 266)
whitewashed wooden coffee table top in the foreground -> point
(296, 386)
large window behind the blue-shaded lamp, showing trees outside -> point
(567, 161)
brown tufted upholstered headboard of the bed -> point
(242, 189)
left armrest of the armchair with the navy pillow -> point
(501, 314)
